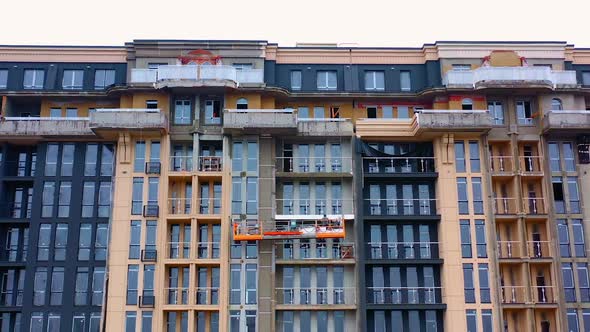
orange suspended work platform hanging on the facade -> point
(325, 228)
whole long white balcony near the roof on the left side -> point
(197, 76)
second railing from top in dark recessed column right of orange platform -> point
(401, 207)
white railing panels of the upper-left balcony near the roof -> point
(196, 73)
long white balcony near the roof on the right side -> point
(510, 77)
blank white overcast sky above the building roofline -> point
(367, 22)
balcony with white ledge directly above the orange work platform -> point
(313, 209)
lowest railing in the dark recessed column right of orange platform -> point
(404, 295)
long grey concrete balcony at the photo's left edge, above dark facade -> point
(46, 127)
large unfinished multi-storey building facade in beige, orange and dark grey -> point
(179, 185)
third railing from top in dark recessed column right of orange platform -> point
(402, 250)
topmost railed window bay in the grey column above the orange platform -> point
(325, 159)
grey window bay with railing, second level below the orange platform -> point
(317, 287)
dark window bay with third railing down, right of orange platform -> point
(401, 243)
